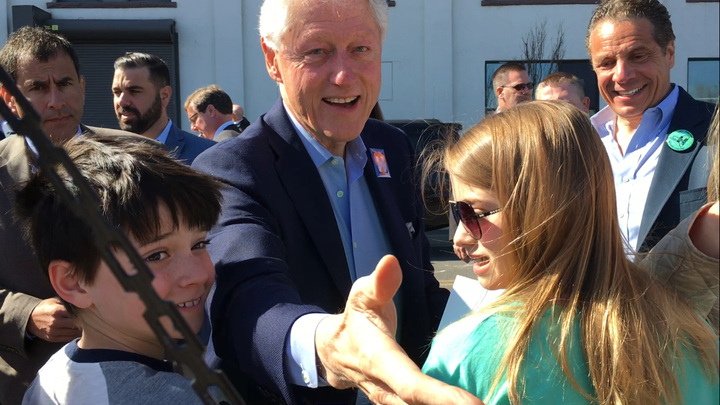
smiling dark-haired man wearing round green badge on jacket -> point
(653, 130)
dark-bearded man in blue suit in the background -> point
(141, 93)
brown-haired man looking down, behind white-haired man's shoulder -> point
(210, 111)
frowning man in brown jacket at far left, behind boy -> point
(34, 323)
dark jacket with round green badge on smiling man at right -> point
(679, 186)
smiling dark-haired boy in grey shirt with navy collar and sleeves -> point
(166, 209)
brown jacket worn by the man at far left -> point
(23, 284)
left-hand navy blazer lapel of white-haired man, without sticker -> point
(304, 187)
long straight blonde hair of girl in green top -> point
(552, 176)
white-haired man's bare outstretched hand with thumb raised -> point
(357, 348)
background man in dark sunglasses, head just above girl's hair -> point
(512, 85)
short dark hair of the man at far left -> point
(36, 43)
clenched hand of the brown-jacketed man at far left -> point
(50, 321)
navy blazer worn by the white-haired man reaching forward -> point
(278, 252)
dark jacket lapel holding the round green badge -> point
(672, 165)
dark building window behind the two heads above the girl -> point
(580, 68)
